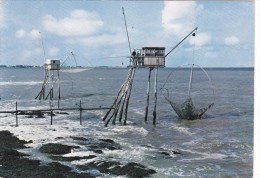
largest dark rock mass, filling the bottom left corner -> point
(14, 165)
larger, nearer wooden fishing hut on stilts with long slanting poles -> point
(146, 57)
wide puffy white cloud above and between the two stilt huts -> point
(79, 23)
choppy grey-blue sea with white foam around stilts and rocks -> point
(218, 145)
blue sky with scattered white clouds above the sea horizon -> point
(94, 31)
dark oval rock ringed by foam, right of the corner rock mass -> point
(56, 148)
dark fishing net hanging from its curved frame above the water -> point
(189, 91)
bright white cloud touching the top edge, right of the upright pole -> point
(178, 17)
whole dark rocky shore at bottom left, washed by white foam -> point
(14, 164)
